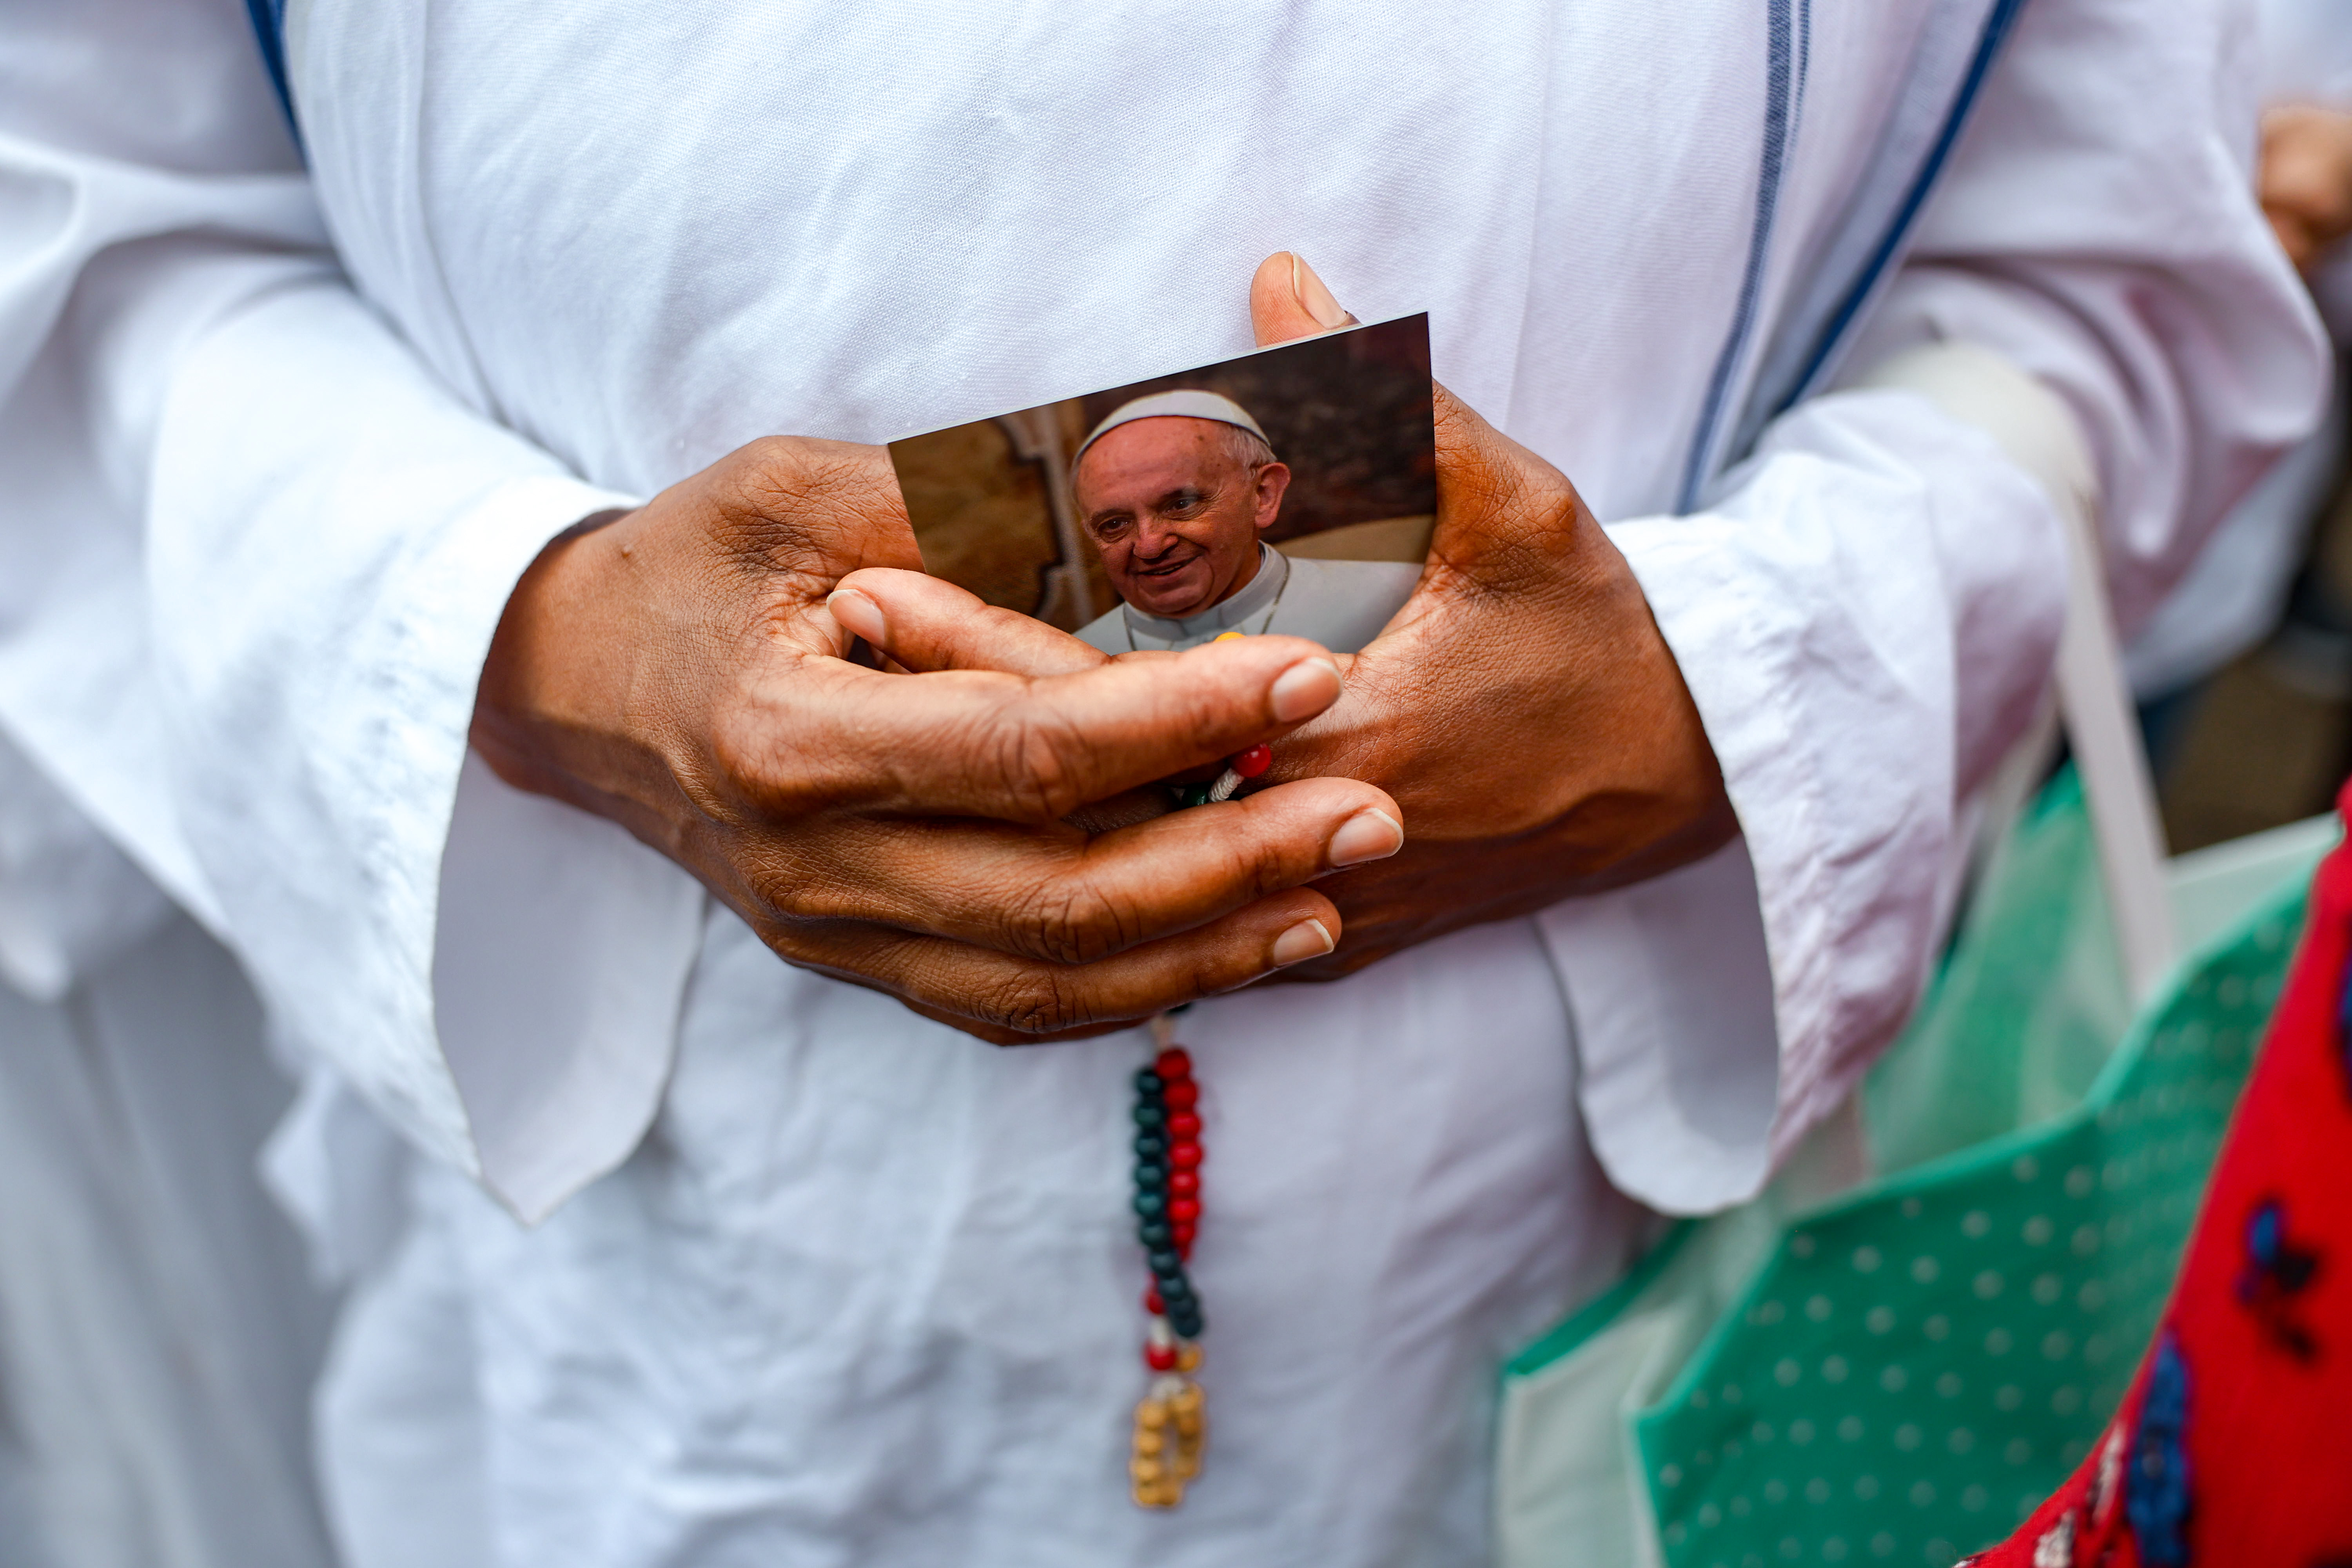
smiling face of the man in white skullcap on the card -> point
(1175, 514)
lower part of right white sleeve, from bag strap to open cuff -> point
(1866, 622)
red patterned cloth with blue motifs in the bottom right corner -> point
(2236, 1442)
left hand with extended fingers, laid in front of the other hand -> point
(681, 674)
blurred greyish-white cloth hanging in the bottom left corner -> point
(156, 1332)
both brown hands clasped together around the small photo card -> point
(681, 671)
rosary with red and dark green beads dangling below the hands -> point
(1172, 1426)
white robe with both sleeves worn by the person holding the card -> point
(810, 1280)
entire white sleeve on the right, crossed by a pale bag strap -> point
(1869, 608)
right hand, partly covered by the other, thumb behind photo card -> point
(1523, 706)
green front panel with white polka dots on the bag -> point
(1918, 1367)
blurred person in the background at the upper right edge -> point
(2245, 676)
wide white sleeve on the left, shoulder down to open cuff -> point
(265, 558)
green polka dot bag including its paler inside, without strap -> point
(1902, 1374)
